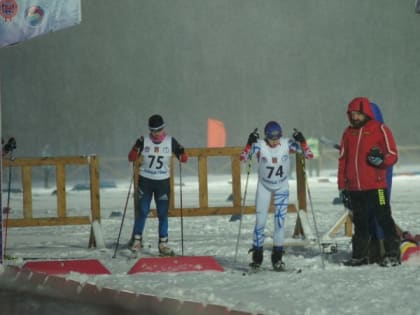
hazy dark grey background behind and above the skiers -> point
(90, 88)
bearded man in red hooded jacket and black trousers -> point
(367, 149)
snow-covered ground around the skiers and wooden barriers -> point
(334, 289)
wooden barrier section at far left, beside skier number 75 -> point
(60, 163)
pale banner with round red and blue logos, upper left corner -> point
(21, 20)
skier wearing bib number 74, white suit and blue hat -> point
(273, 156)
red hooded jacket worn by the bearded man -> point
(354, 171)
